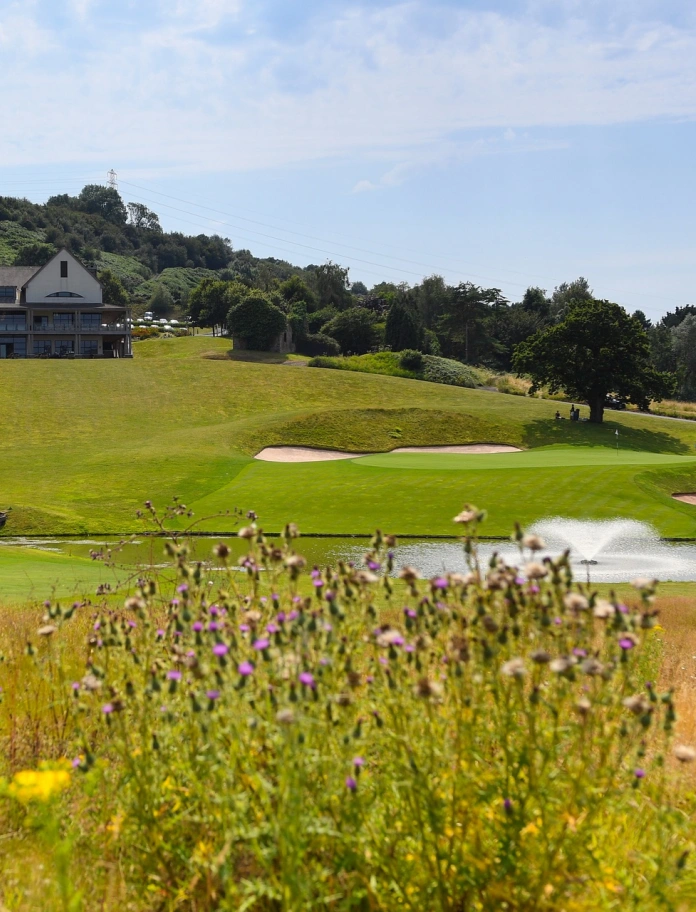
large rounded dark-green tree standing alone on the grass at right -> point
(597, 349)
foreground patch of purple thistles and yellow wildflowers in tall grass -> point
(266, 735)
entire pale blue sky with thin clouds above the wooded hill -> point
(510, 143)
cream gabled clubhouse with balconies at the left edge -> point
(57, 311)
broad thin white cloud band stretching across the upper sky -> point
(373, 83)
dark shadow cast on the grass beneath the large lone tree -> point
(547, 432)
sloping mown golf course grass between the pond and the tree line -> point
(84, 443)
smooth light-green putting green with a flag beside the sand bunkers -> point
(541, 458)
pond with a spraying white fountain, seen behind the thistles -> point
(608, 551)
